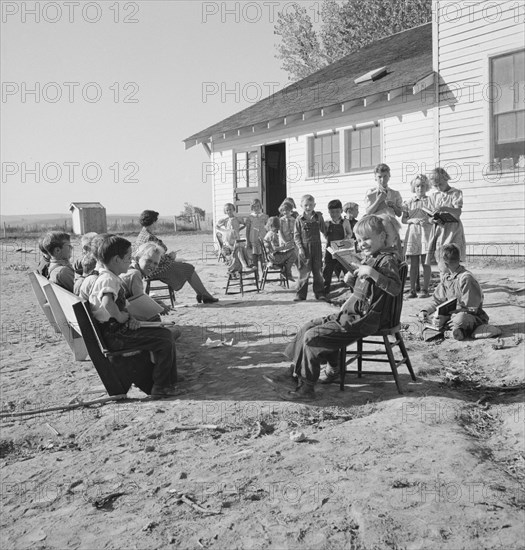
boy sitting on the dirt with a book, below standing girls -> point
(457, 282)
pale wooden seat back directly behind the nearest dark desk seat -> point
(61, 303)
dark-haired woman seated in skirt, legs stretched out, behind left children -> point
(171, 272)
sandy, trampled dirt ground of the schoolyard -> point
(441, 466)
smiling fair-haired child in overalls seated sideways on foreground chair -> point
(367, 310)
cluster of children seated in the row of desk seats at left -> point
(107, 288)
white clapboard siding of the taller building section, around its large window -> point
(493, 206)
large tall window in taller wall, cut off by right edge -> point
(507, 101)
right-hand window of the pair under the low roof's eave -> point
(362, 148)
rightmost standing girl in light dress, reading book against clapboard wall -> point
(445, 199)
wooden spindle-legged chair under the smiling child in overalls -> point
(384, 334)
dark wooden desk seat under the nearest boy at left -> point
(117, 369)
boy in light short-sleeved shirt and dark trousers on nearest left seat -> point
(120, 331)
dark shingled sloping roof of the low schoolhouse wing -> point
(406, 55)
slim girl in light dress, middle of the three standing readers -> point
(418, 234)
